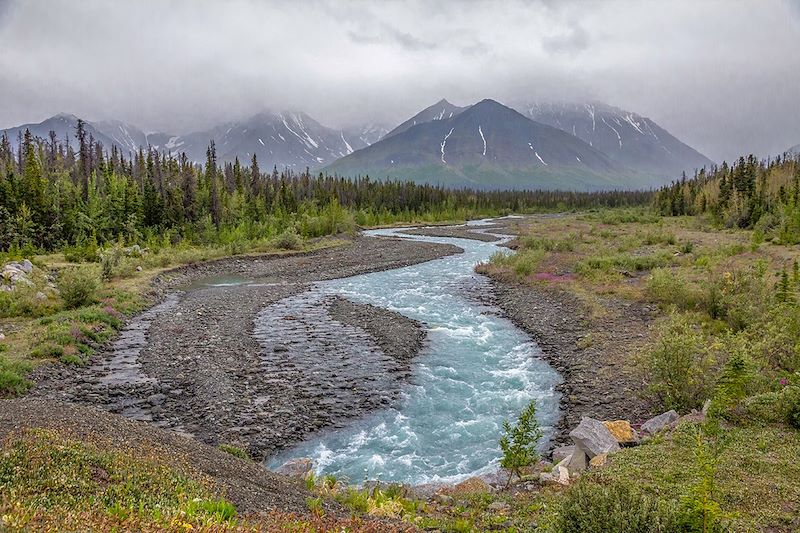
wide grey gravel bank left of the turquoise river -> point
(204, 371)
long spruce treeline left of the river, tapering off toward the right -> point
(53, 195)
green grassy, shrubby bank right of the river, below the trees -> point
(727, 330)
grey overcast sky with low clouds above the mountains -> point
(723, 76)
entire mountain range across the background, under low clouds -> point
(566, 146)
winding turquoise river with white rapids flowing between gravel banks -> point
(476, 370)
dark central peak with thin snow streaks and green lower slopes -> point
(487, 145)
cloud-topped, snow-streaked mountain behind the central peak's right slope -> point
(627, 138)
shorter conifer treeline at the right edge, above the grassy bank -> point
(759, 194)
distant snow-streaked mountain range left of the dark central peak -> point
(285, 139)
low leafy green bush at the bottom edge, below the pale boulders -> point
(589, 508)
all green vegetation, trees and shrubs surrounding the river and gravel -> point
(717, 255)
